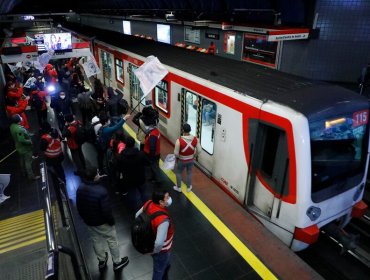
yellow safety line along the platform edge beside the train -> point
(233, 240)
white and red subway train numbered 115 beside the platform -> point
(292, 151)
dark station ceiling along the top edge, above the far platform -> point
(291, 12)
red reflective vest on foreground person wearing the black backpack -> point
(158, 220)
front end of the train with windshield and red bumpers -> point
(339, 141)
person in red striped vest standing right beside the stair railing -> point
(50, 144)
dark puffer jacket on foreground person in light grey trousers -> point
(93, 204)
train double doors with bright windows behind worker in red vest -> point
(200, 113)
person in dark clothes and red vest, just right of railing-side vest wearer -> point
(70, 132)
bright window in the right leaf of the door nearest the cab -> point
(209, 109)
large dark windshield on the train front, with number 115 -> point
(338, 150)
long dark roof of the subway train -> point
(303, 95)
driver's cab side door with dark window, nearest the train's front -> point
(269, 165)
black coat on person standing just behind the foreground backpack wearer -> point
(132, 164)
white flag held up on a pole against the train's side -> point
(150, 74)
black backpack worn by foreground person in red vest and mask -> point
(142, 235)
